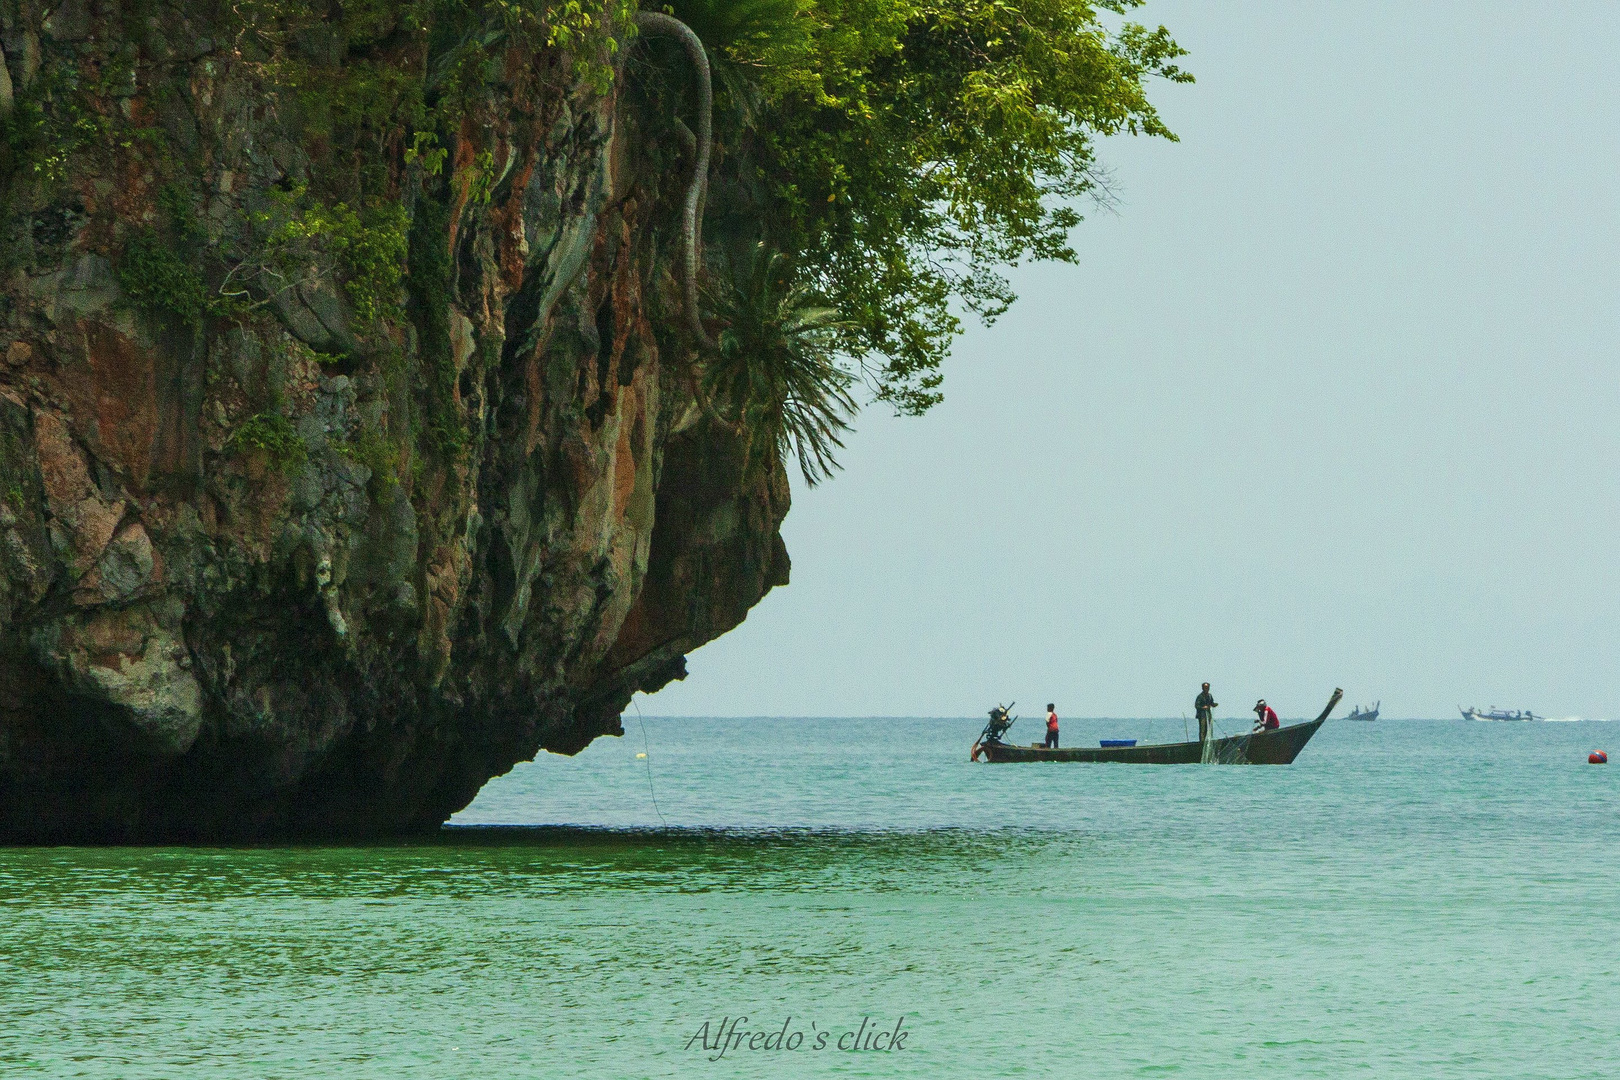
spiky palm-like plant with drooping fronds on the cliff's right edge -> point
(775, 370)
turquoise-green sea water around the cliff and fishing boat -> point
(1410, 899)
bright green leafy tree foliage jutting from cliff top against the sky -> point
(914, 148)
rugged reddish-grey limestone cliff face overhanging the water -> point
(328, 521)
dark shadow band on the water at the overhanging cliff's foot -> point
(537, 862)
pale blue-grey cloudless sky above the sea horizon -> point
(1329, 401)
